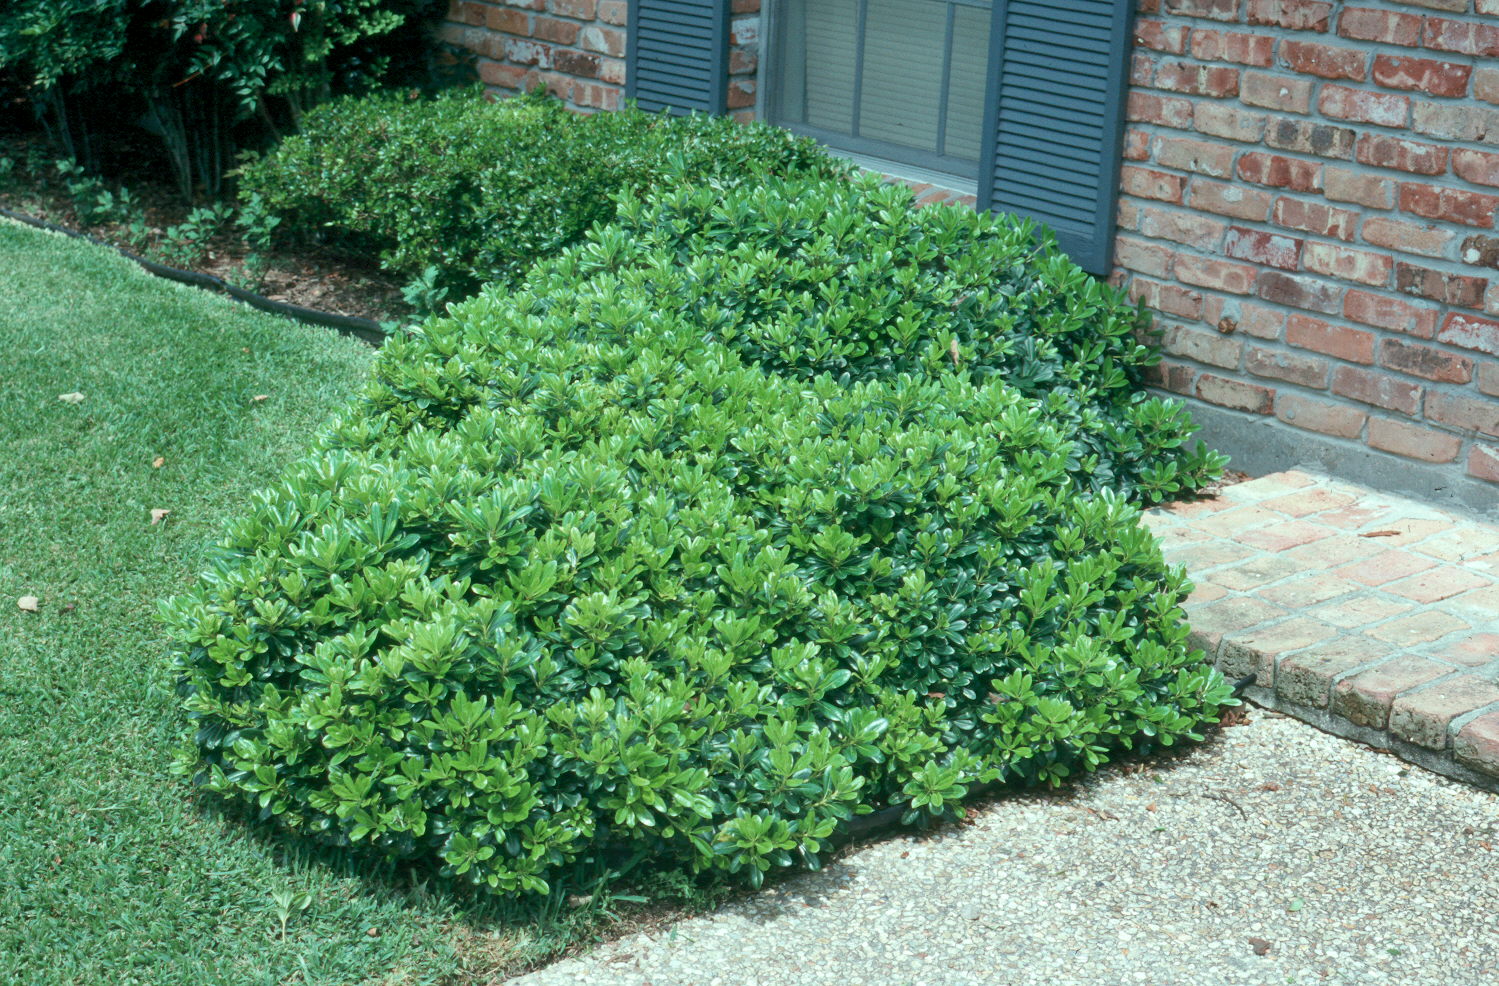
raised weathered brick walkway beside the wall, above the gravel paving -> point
(1366, 615)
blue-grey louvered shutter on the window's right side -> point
(1056, 112)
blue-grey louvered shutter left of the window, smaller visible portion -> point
(678, 55)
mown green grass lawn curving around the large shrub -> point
(112, 871)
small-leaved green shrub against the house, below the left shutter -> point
(482, 190)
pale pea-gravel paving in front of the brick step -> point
(1270, 855)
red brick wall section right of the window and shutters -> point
(1309, 202)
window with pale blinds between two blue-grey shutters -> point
(902, 80)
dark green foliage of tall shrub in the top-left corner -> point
(197, 68)
